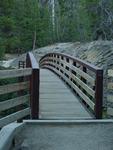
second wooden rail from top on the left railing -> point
(13, 87)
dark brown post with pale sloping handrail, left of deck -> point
(34, 85)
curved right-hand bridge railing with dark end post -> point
(85, 79)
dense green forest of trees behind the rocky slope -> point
(29, 24)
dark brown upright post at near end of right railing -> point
(99, 94)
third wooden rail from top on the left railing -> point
(13, 102)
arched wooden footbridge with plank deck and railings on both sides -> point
(60, 87)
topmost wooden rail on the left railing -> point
(15, 73)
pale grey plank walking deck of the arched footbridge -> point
(57, 101)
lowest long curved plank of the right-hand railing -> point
(81, 94)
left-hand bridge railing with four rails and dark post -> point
(23, 87)
